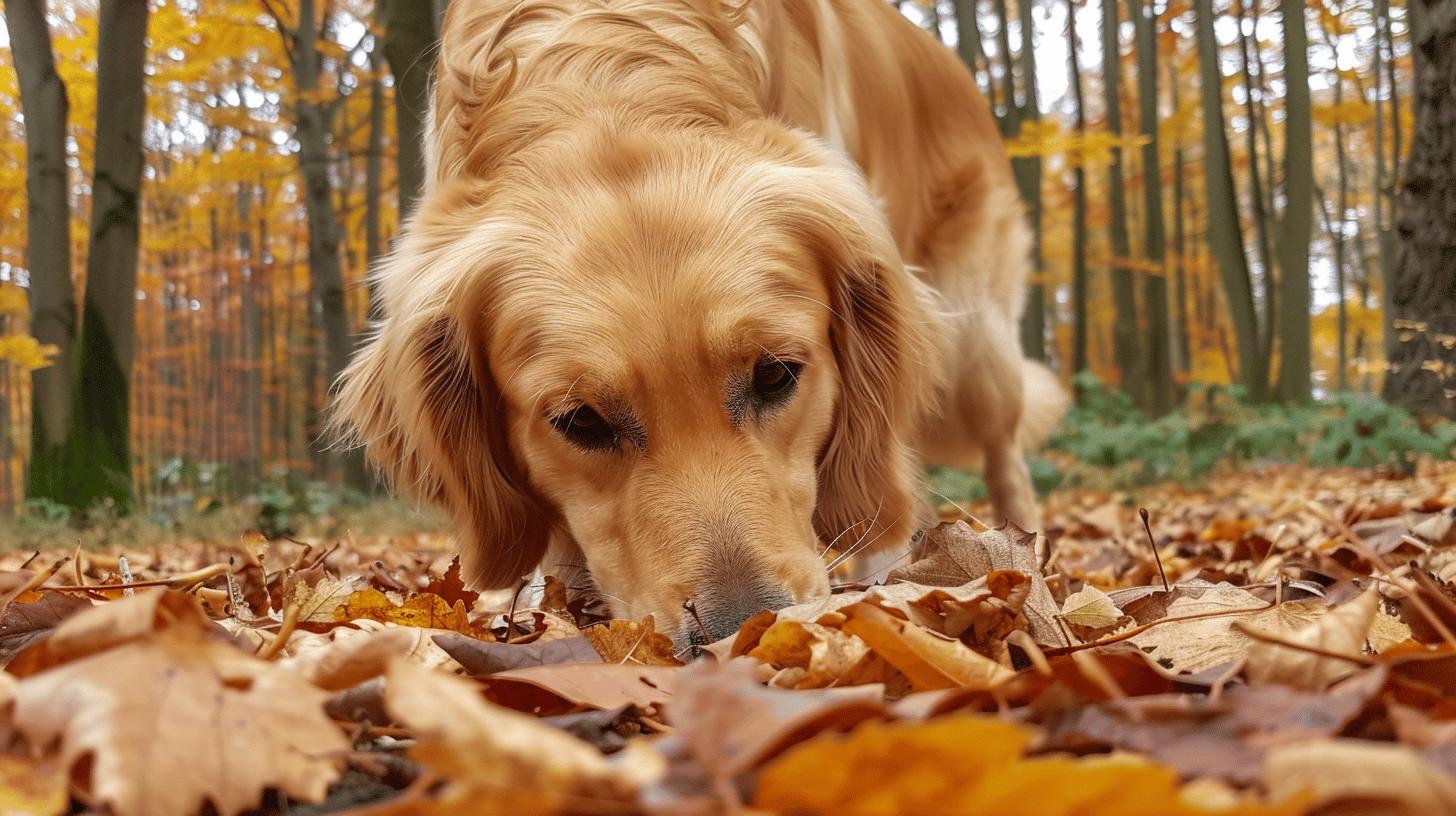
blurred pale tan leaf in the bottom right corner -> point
(1366, 777)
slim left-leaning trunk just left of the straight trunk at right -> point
(1225, 234)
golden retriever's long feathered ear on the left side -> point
(422, 401)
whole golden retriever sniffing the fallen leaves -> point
(694, 294)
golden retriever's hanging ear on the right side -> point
(889, 366)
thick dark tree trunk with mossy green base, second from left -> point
(97, 460)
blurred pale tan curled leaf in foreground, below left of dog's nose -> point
(499, 761)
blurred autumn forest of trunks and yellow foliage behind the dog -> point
(1231, 224)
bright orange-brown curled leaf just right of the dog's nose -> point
(928, 661)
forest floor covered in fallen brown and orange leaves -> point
(1286, 646)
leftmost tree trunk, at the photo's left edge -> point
(49, 240)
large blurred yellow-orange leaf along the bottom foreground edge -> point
(976, 766)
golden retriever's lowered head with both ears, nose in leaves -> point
(697, 358)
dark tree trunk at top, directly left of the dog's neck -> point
(410, 36)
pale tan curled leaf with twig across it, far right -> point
(1340, 632)
